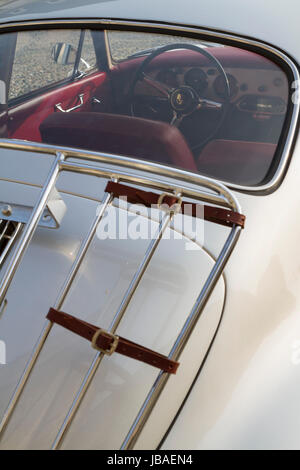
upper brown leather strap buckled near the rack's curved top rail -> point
(212, 214)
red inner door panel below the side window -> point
(25, 119)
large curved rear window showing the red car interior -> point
(197, 105)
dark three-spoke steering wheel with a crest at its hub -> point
(182, 100)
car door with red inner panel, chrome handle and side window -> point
(44, 80)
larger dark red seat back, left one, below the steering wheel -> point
(118, 134)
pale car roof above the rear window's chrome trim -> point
(272, 21)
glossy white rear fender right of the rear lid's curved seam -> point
(247, 396)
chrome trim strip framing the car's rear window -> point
(287, 150)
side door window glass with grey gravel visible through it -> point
(33, 65)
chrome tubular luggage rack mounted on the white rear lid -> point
(217, 195)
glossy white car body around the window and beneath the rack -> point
(243, 358)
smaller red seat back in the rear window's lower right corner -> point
(234, 160)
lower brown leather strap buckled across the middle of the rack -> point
(109, 343)
